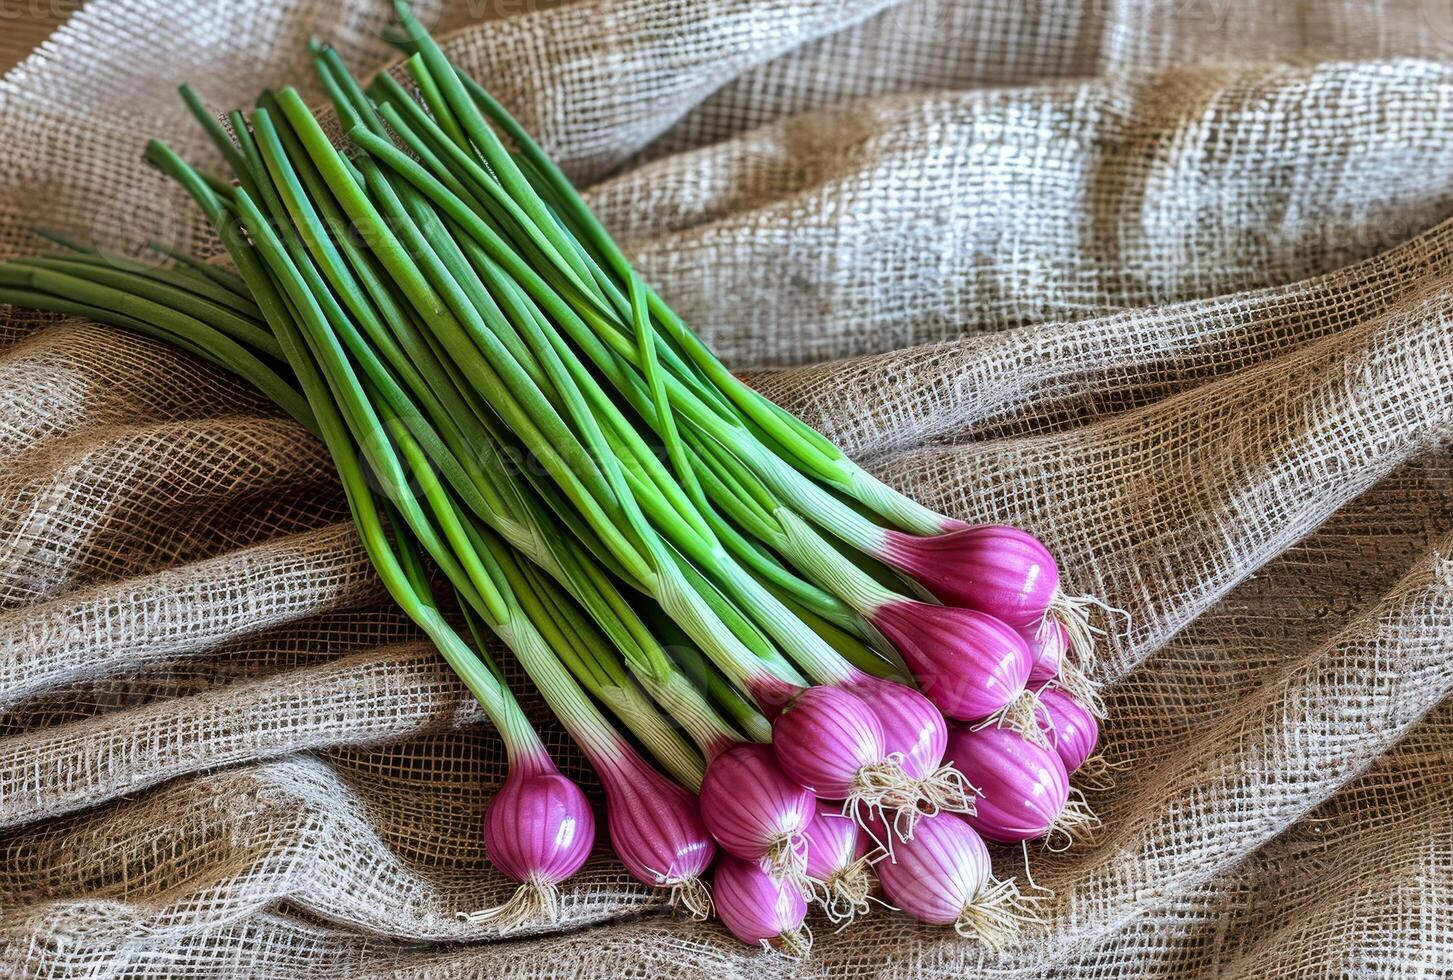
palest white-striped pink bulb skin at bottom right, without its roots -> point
(936, 876)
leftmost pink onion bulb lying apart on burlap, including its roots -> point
(538, 831)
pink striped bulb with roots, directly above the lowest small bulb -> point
(755, 812)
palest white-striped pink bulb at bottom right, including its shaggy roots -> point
(944, 877)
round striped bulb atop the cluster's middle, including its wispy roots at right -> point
(830, 741)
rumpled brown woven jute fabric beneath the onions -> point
(1169, 284)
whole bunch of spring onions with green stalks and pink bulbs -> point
(759, 648)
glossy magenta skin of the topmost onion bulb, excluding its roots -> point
(992, 568)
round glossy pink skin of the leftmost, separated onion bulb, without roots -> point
(540, 827)
